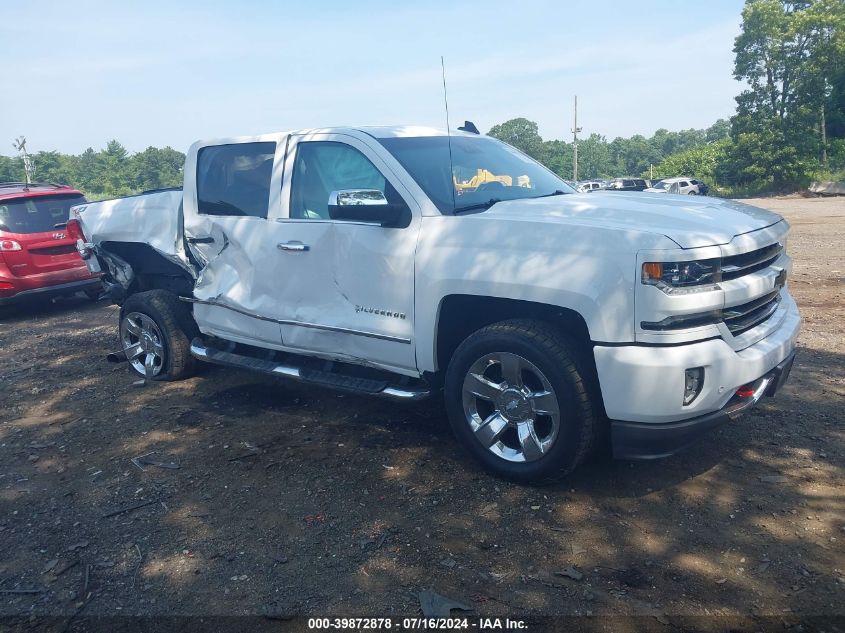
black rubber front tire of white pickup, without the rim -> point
(550, 352)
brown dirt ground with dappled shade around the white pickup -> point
(274, 499)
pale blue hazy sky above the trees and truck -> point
(78, 74)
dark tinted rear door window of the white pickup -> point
(235, 179)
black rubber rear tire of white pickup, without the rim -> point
(176, 325)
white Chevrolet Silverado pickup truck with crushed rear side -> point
(404, 262)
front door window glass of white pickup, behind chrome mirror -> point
(323, 167)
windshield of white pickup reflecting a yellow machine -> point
(484, 170)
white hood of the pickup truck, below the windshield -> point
(689, 221)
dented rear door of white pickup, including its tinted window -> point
(232, 194)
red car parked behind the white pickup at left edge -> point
(37, 256)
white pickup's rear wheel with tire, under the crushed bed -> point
(155, 332)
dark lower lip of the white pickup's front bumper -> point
(642, 440)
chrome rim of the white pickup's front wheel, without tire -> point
(511, 407)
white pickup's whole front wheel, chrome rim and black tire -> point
(518, 401)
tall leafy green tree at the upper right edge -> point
(789, 53)
